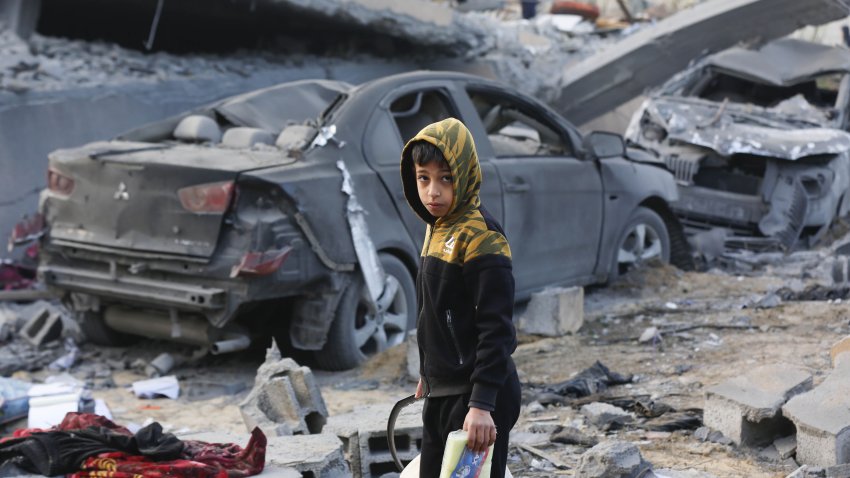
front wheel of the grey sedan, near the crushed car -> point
(644, 238)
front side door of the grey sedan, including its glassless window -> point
(553, 201)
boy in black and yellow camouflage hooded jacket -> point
(465, 295)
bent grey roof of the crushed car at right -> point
(782, 62)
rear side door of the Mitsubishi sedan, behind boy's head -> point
(402, 114)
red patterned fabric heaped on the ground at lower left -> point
(201, 460)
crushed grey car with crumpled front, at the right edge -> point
(757, 140)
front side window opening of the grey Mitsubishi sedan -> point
(515, 129)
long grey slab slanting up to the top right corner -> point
(647, 58)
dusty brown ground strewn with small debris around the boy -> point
(710, 329)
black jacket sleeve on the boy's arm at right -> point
(490, 280)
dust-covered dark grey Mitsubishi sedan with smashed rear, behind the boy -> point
(281, 212)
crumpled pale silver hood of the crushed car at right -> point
(791, 130)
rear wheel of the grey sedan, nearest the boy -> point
(357, 333)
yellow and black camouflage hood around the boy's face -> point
(455, 142)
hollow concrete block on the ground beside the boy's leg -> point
(364, 435)
